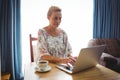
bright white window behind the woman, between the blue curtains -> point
(77, 19)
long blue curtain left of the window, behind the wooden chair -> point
(10, 42)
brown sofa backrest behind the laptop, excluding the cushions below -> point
(113, 45)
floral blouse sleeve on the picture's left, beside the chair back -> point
(41, 45)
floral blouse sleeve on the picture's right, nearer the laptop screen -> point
(68, 47)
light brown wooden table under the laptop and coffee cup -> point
(96, 73)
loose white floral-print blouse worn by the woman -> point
(57, 46)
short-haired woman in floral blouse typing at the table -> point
(53, 42)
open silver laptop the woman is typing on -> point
(88, 57)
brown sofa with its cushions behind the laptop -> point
(111, 55)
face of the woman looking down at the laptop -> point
(55, 19)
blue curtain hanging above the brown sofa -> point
(106, 22)
